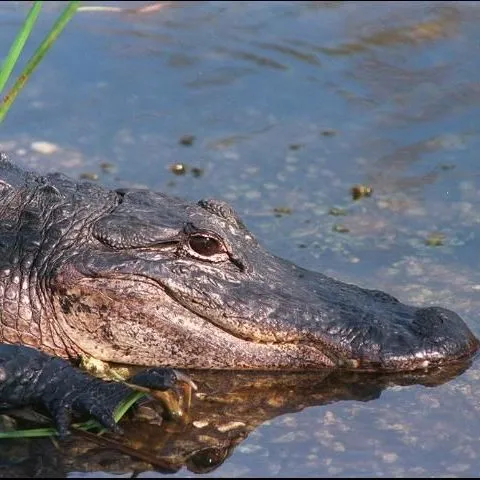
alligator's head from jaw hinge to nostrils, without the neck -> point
(159, 281)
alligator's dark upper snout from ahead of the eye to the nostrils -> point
(343, 325)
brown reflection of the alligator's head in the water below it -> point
(225, 410)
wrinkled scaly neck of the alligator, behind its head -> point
(43, 223)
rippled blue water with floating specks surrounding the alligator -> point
(289, 105)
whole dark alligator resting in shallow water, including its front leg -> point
(137, 277)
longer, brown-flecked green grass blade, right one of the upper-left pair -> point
(52, 35)
